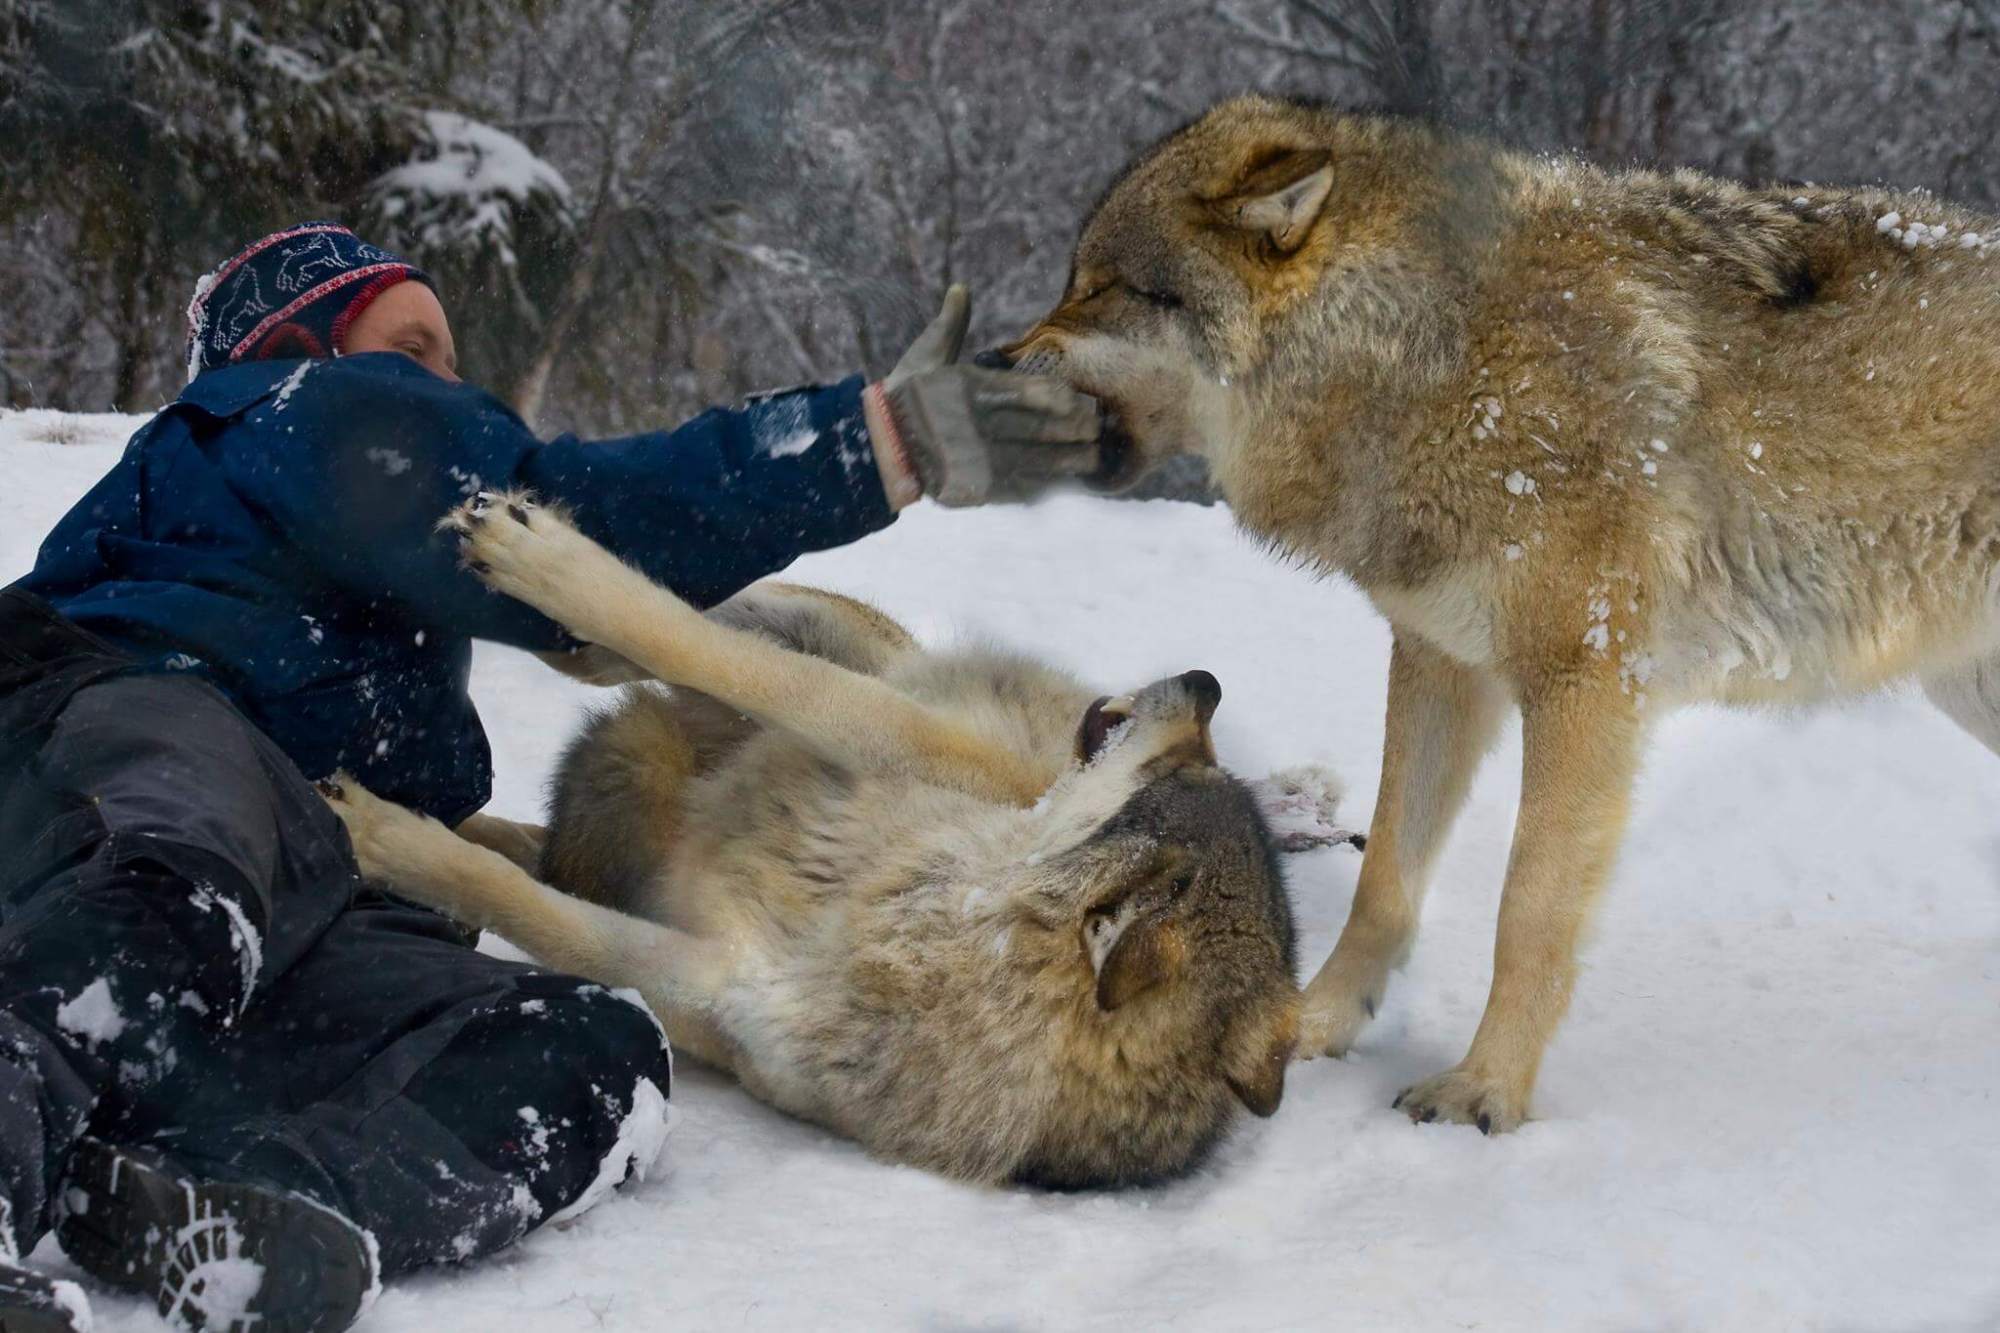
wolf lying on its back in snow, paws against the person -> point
(943, 904)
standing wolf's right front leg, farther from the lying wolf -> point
(1581, 740)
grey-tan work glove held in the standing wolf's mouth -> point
(969, 435)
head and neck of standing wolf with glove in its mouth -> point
(1243, 255)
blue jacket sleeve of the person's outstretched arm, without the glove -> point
(367, 453)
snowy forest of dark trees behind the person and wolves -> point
(643, 207)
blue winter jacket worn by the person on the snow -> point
(275, 531)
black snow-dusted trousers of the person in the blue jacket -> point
(189, 960)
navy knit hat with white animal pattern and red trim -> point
(291, 295)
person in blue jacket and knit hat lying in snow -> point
(231, 1076)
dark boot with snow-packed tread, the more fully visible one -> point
(223, 1256)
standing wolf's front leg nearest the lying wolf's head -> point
(1441, 724)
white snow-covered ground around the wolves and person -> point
(1775, 1106)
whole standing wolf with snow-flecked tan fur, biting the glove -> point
(1597, 443)
